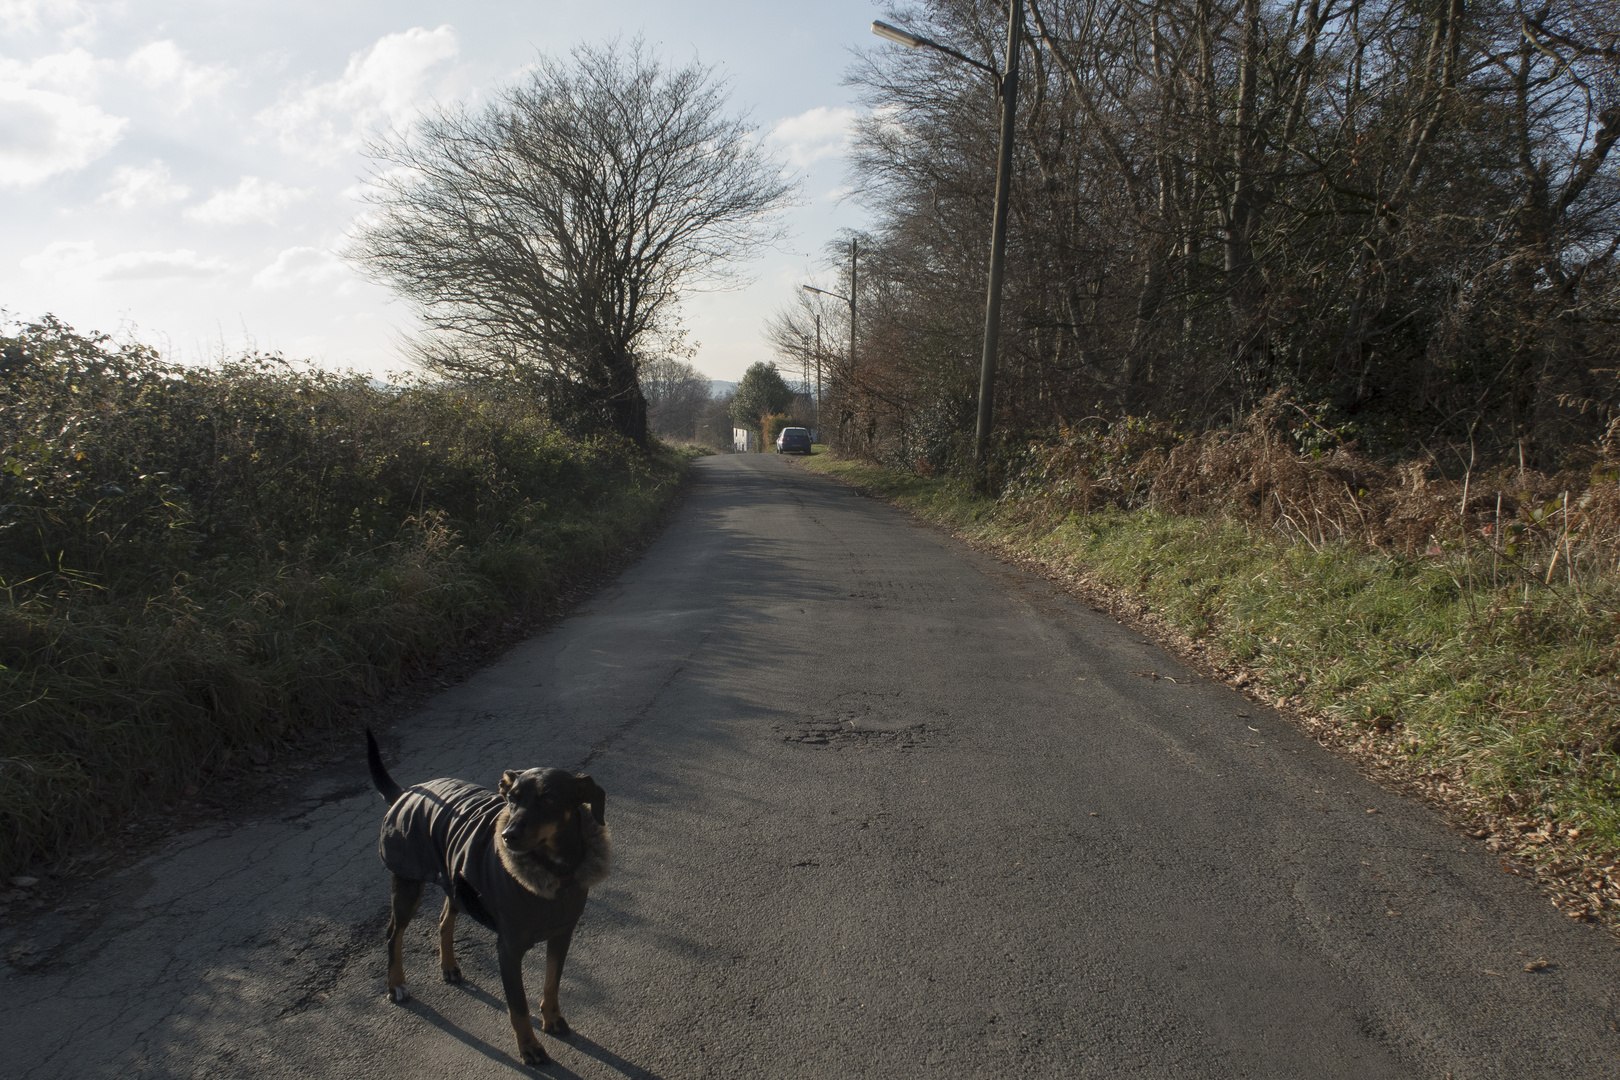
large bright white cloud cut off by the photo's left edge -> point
(46, 132)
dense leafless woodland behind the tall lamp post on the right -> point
(1404, 211)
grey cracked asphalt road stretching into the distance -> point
(884, 809)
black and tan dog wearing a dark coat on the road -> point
(519, 861)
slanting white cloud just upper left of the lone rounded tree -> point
(382, 87)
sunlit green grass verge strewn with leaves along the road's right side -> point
(1498, 704)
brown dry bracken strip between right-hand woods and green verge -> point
(1285, 474)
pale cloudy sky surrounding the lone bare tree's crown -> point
(185, 172)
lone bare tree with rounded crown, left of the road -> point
(547, 239)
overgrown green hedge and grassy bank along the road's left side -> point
(198, 564)
